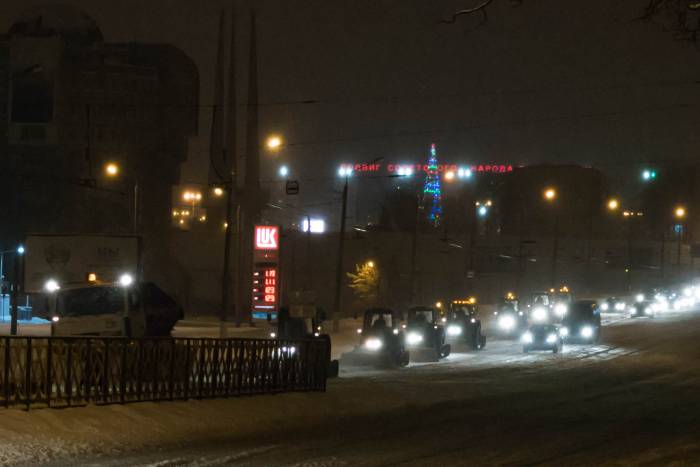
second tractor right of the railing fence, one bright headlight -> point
(425, 332)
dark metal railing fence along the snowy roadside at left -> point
(75, 371)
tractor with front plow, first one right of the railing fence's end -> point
(382, 340)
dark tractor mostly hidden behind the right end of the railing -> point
(299, 322)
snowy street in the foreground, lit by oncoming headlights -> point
(632, 398)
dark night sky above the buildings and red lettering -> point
(549, 81)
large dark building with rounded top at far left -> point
(70, 103)
